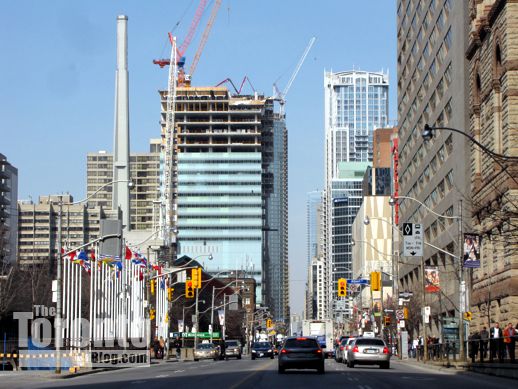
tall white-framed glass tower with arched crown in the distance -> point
(356, 103)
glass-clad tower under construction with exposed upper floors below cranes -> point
(230, 187)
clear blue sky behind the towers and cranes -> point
(58, 65)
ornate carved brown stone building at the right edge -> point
(493, 101)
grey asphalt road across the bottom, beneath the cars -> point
(261, 374)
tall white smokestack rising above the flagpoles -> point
(121, 129)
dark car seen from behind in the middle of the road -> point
(301, 353)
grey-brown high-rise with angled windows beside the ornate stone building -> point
(432, 85)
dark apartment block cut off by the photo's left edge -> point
(8, 212)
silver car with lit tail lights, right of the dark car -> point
(368, 351)
